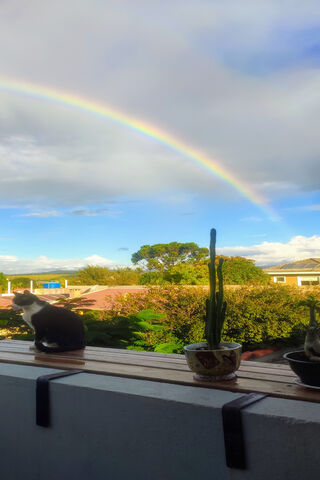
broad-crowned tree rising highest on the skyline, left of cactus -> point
(163, 256)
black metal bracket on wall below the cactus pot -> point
(233, 429)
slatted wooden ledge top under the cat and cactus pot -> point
(277, 380)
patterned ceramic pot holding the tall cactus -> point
(213, 365)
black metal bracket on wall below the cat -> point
(43, 396)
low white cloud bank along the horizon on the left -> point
(15, 265)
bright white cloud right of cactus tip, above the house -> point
(276, 253)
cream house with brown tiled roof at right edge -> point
(302, 272)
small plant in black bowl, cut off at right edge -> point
(306, 363)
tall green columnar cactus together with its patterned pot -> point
(214, 360)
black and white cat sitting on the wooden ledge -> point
(56, 329)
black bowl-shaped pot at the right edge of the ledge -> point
(307, 370)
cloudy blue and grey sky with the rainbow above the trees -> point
(235, 83)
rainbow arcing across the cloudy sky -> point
(50, 94)
